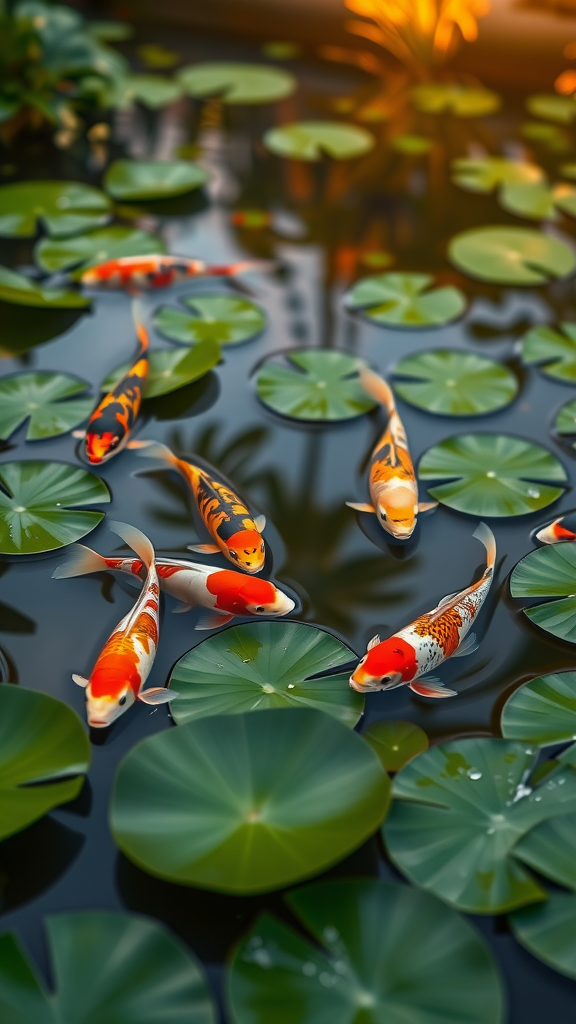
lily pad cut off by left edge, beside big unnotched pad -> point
(43, 741)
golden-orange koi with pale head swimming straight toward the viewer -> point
(394, 489)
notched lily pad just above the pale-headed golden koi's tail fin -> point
(405, 301)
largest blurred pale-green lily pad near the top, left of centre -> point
(237, 83)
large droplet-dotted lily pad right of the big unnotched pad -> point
(459, 812)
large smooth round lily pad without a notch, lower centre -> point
(249, 803)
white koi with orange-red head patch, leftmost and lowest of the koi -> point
(126, 661)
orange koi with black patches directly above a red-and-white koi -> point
(237, 534)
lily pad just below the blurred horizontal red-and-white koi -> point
(223, 319)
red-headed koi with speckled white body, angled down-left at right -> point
(430, 641)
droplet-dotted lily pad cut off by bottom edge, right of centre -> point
(373, 954)
